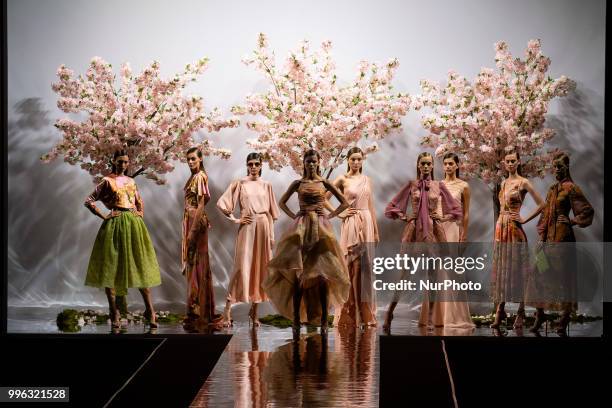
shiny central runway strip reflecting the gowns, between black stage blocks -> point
(337, 369)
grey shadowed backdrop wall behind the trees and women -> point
(51, 233)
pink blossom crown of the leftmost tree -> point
(146, 115)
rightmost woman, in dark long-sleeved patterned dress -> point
(555, 226)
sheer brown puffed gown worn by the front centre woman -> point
(307, 253)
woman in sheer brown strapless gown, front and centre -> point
(308, 273)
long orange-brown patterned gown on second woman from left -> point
(196, 264)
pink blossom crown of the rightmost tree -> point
(500, 110)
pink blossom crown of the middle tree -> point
(307, 109)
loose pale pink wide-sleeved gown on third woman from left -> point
(253, 249)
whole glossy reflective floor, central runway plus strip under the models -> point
(265, 367)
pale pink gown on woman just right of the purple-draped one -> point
(454, 312)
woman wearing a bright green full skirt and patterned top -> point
(123, 255)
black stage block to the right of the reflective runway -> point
(495, 372)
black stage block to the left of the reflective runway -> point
(97, 367)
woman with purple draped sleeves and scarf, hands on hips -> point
(432, 205)
